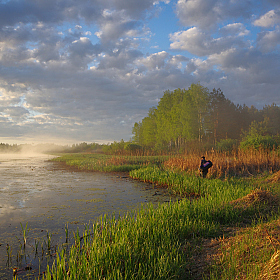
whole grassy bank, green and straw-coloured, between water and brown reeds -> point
(170, 241)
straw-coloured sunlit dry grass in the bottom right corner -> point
(253, 253)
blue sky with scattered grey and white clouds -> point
(76, 71)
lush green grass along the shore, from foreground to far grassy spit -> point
(152, 243)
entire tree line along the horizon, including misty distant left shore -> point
(186, 119)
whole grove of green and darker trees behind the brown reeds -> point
(196, 116)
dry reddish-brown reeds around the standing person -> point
(237, 163)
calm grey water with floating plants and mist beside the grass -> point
(47, 197)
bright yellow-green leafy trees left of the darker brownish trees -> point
(179, 117)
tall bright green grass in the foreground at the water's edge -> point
(149, 244)
